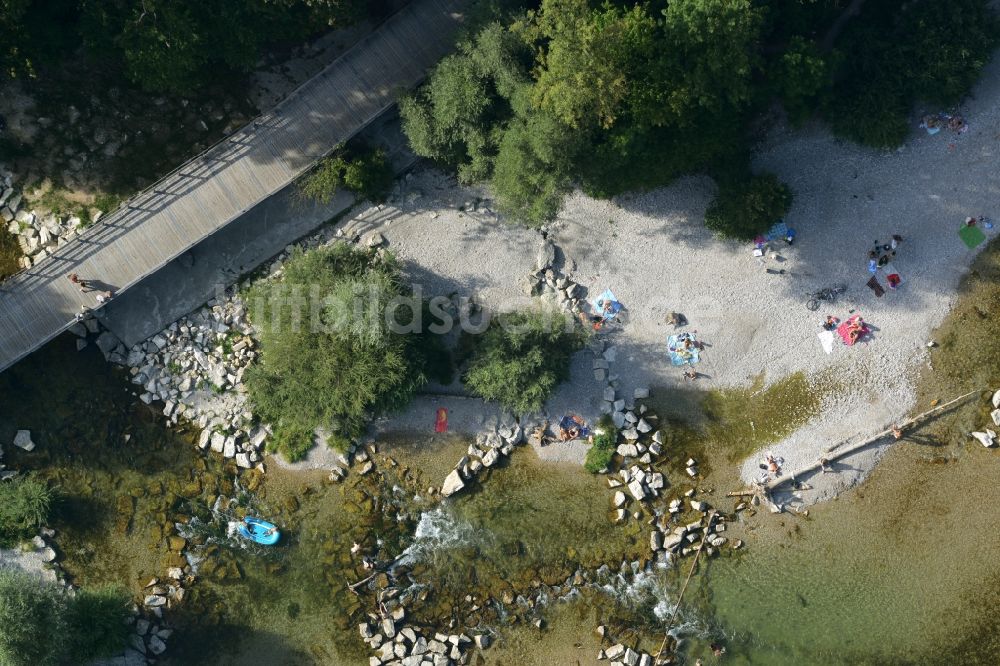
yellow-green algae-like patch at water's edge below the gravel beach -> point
(742, 420)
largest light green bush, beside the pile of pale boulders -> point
(340, 363)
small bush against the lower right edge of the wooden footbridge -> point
(367, 173)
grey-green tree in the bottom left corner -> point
(33, 617)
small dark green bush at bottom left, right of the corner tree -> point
(96, 620)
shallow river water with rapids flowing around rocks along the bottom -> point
(902, 570)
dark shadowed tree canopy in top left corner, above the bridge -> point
(162, 45)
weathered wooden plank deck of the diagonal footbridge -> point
(228, 179)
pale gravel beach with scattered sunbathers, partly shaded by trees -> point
(652, 249)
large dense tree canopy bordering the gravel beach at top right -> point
(619, 96)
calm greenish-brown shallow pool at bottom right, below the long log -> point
(903, 570)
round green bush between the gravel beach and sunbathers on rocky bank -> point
(522, 357)
